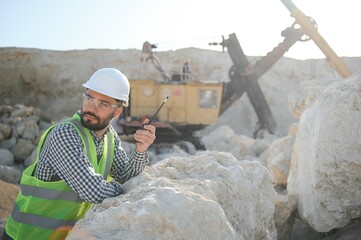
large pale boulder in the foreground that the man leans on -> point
(208, 196)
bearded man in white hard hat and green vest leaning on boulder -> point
(76, 160)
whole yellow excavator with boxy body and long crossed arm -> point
(195, 104)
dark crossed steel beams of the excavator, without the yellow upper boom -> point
(244, 75)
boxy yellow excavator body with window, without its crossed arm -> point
(192, 104)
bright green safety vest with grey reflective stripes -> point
(49, 210)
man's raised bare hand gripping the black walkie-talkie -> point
(144, 137)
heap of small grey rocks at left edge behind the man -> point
(20, 129)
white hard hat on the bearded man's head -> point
(110, 82)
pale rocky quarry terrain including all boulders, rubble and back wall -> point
(301, 183)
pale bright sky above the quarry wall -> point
(174, 24)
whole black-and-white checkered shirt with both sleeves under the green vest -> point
(62, 157)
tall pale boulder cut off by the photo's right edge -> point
(326, 164)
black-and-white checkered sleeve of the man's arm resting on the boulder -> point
(63, 153)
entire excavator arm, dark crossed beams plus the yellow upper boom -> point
(244, 75)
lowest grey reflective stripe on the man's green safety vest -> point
(40, 221)
